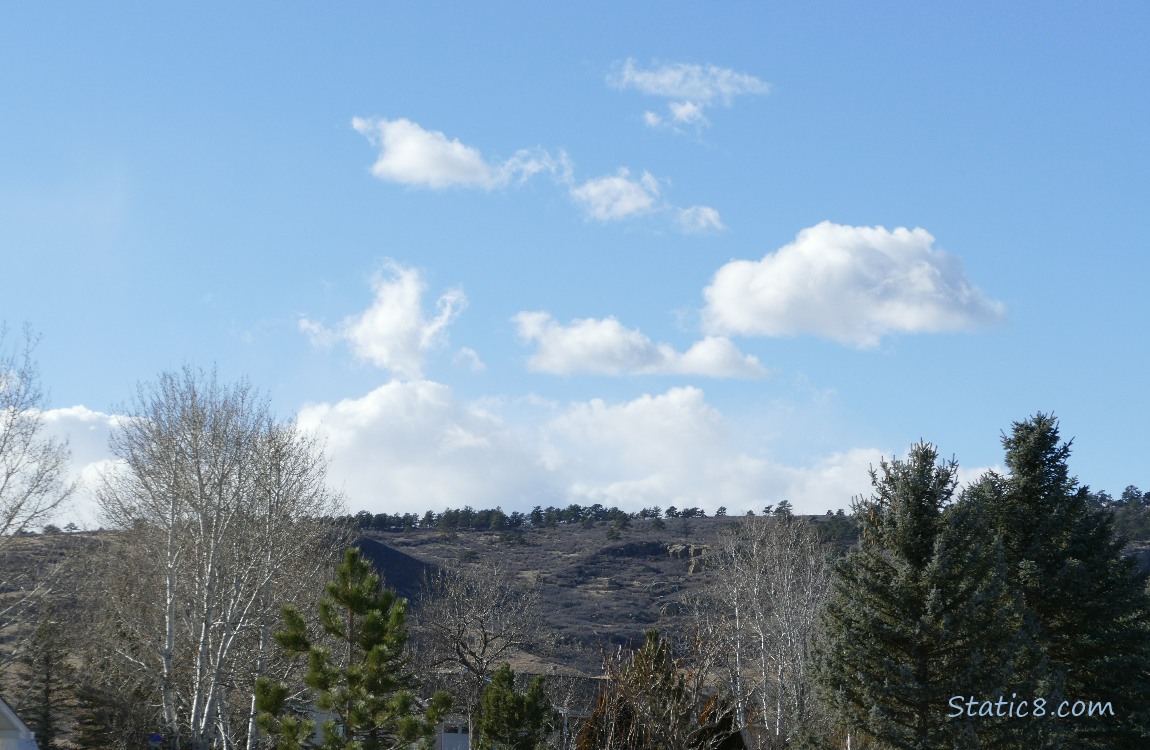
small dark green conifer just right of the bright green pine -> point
(511, 721)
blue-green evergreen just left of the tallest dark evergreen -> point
(921, 614)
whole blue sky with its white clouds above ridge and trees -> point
(512, 255)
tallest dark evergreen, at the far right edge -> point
(1090, 609)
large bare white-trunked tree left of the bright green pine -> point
(221, 508)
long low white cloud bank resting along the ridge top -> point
(412, 447)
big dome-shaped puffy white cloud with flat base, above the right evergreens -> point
(850, 285)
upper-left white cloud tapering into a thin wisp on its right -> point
(412, 156)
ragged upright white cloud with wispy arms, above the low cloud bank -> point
(394, 333)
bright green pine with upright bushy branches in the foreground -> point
(363, 684)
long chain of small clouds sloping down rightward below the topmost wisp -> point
(419, 158)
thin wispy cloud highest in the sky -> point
(691, 88)
